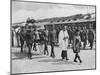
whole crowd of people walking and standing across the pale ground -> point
(68, 37)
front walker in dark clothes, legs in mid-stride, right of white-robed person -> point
(76, 46)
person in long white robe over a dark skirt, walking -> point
(63, 42)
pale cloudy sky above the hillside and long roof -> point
(22, 10)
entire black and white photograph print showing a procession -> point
(52, 37)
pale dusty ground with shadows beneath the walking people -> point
(43, 63)
